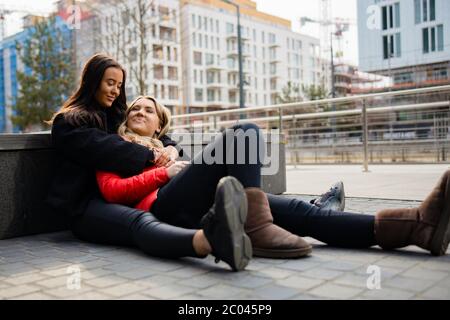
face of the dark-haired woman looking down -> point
(109, 88)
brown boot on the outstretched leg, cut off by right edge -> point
(427, 226)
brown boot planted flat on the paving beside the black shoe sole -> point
(269, 240)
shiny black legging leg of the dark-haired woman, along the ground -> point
(119, 225)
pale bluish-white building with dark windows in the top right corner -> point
(407, 40)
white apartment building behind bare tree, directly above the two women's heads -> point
(145, 37)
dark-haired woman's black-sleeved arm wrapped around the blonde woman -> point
(94, 148)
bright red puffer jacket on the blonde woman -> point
(139, 191)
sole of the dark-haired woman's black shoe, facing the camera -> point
(235, 213)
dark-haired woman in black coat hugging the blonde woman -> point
(84, 133)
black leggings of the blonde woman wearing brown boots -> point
(189, 195)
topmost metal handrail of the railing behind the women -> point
(315, 102)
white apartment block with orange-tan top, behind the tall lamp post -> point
(272, 55)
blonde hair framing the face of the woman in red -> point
(150, 142)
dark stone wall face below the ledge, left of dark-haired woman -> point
(26, 180)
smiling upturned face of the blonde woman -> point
(143, 118)
